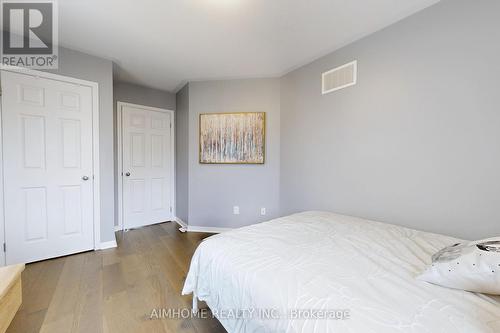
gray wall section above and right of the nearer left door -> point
(86, 67)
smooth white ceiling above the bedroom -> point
(165, 43)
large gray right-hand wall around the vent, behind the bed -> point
(416, 142)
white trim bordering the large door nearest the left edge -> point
(95, 138)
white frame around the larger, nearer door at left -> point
(94, 86)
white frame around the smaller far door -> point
(119, 128)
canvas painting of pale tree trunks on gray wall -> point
(232, 138)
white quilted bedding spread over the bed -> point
(324, 261)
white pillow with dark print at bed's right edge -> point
(473, 266)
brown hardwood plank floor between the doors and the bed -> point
(113, 290)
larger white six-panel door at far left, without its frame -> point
(47, 159)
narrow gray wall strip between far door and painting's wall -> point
(182, 154)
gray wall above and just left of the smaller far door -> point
(135, 94)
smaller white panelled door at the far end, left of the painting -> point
(147, 166)
